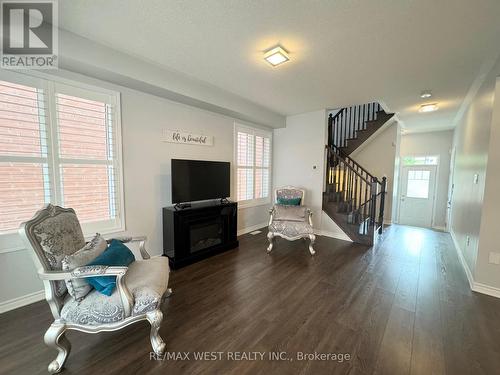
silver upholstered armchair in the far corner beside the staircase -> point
(290, 222)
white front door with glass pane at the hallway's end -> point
(417, 195)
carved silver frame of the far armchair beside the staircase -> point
(290, 192)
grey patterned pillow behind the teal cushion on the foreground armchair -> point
(79, 288)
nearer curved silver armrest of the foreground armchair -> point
(96, 271)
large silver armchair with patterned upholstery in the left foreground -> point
(140, 288)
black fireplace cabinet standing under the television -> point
(199, 231)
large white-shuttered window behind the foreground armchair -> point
(59, 144)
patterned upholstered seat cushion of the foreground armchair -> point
(147, 280)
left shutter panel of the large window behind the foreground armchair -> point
(24, 168)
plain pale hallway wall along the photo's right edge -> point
(474, 213)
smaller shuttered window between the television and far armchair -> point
(253, 165)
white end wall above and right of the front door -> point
(430, 144)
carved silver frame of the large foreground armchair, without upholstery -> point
(55, 335)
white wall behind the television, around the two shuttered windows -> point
(146, 168)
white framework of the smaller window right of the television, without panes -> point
(254, 131)
